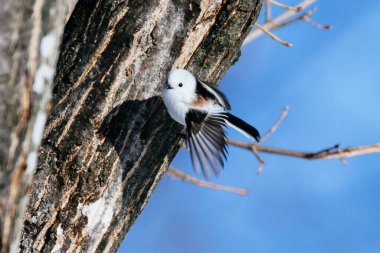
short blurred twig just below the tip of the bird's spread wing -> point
(178, 174)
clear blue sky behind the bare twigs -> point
(331, 82)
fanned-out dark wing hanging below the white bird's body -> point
(206, 138)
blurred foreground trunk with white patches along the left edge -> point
(30, 33)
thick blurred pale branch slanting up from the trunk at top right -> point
(268, 25)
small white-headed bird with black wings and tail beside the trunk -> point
(203, 110)
